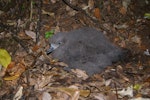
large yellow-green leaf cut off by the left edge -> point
(5, 58)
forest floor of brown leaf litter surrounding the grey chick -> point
(33, 75)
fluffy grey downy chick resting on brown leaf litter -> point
(86, 49)
